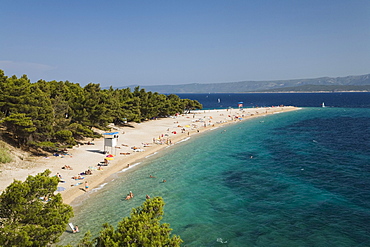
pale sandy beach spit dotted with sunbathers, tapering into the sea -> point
(135, 142)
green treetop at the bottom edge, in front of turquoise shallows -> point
(142, 228)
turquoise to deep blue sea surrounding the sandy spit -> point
(298, 178)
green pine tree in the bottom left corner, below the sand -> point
(26, 219)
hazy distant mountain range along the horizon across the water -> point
(359, 83)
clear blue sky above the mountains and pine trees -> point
(121, 43)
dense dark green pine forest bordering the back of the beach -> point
(61, 112)
